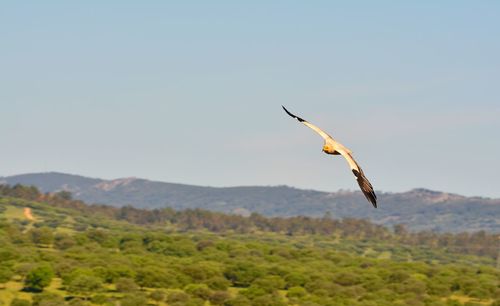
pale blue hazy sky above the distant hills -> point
(191, 91)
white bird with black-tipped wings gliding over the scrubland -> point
(333, 147)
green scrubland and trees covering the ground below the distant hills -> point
(74, 254)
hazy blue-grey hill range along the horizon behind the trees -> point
(419, 209)
